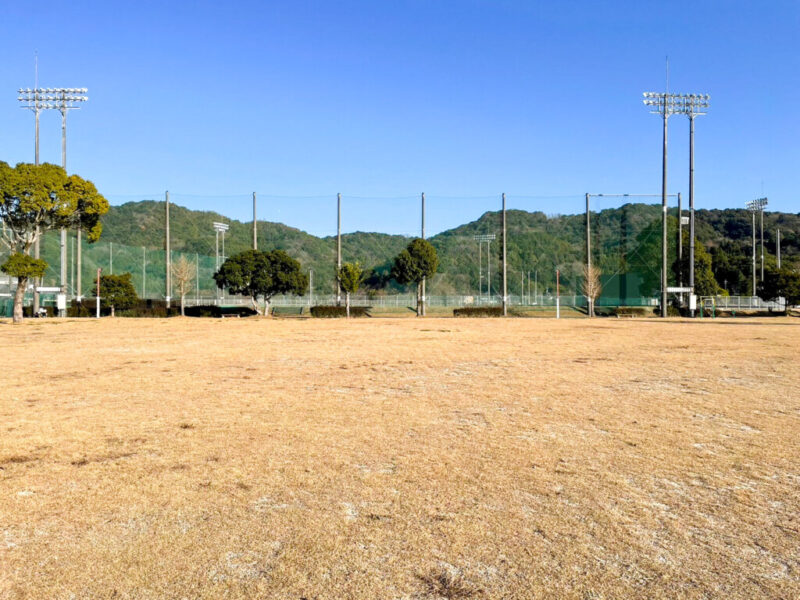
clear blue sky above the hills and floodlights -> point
(383, 100)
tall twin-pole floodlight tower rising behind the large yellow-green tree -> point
(62, 100)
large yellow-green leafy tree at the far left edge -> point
(35, 199)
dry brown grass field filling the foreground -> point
(400, 458)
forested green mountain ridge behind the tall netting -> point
(625, 239)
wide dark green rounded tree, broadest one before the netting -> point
(259, 274)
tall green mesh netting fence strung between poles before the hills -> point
(545, 250)
